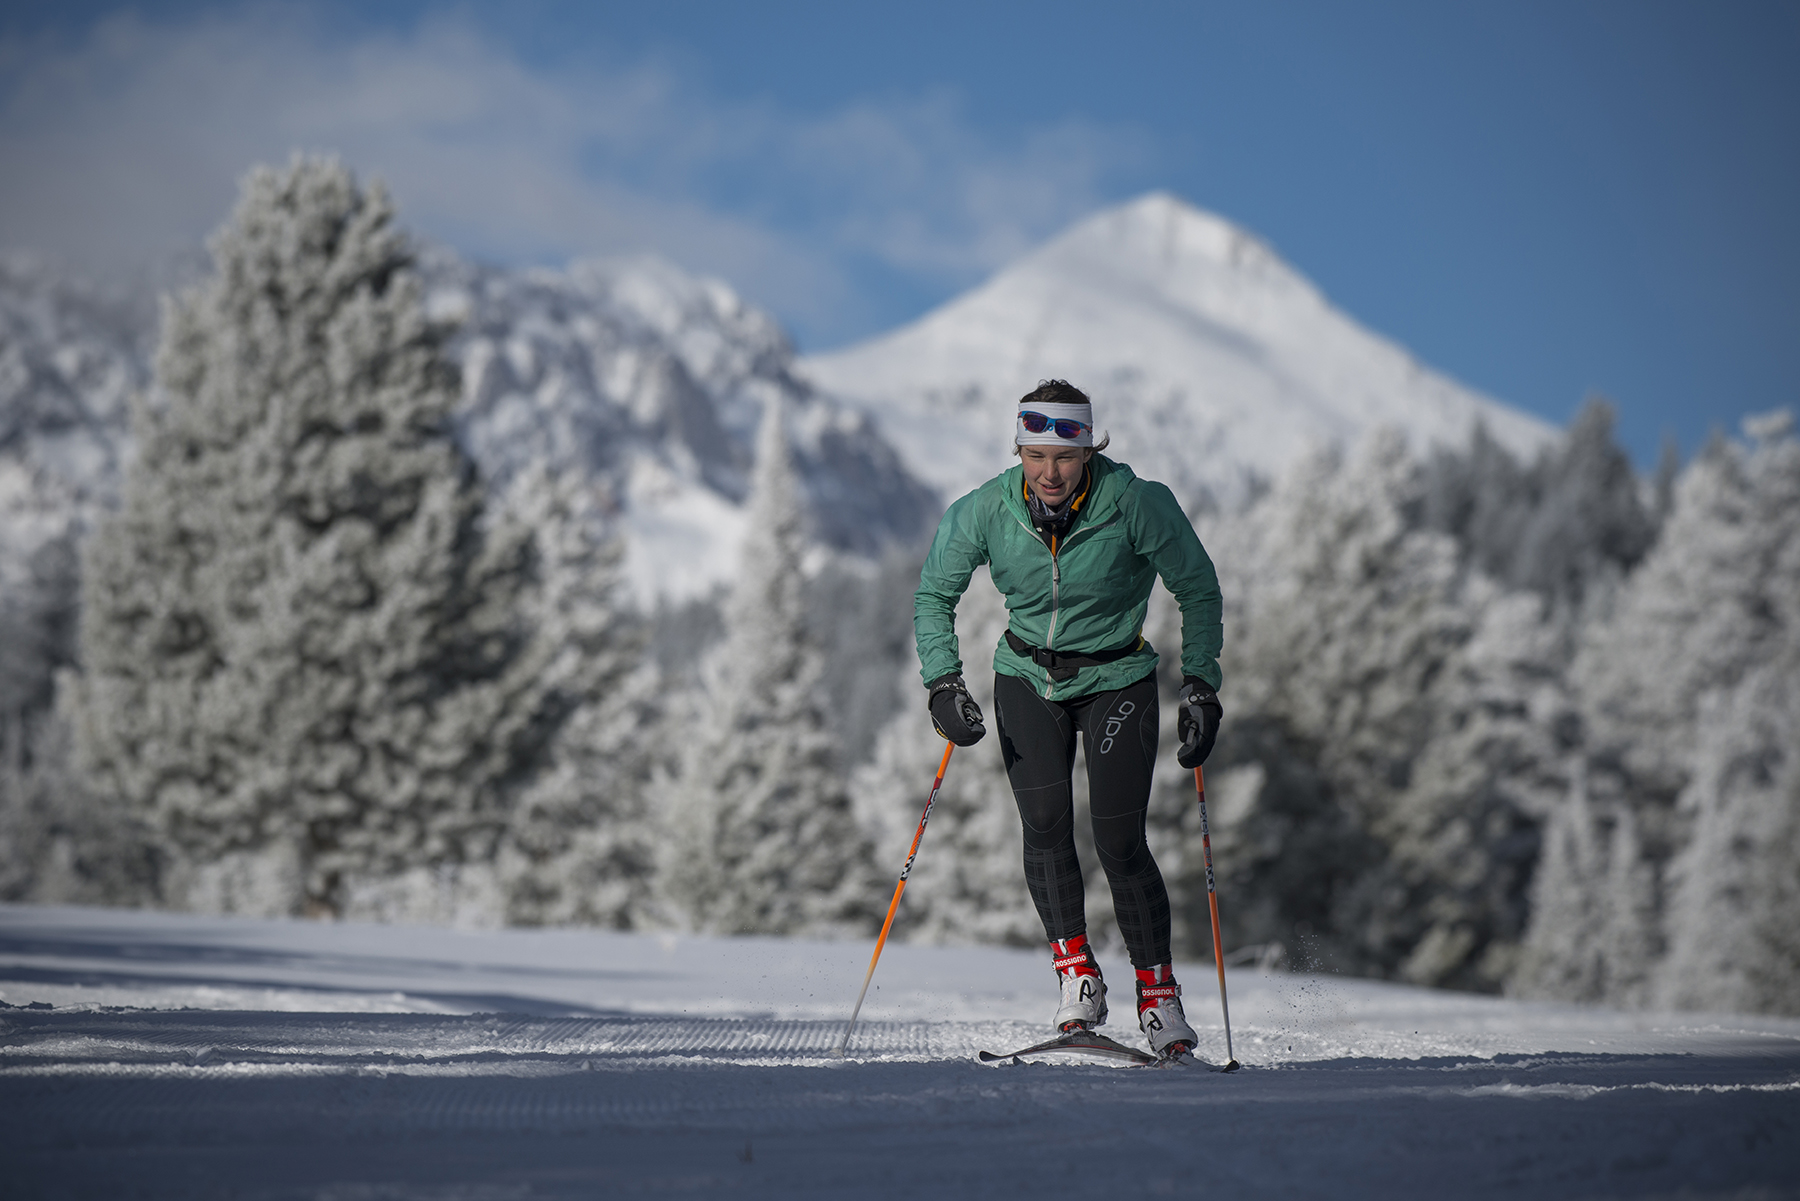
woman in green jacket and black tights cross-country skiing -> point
(1075, 541)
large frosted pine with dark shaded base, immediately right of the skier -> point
(1340, 619)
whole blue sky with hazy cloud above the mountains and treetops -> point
(1540, 199)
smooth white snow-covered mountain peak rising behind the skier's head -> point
(1210, 359)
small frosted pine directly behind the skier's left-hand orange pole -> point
(967, 883)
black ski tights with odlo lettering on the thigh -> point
(1119, 732)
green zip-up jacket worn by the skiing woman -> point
(1090, 597)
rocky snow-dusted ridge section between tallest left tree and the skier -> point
(651, 384)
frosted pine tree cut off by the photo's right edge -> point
(1732, 883)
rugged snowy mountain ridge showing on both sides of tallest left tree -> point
(631, 375)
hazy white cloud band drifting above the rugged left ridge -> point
(129, 143)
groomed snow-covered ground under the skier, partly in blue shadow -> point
(179, 1056)
